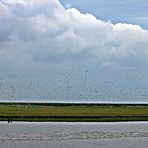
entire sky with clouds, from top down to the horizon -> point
(74, 51)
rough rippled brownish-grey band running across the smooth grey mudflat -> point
(66, 136)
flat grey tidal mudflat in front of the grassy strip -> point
(74, 135)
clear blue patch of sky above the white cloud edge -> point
(124, 11)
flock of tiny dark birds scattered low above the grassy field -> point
(77, 85)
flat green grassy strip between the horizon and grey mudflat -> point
(81, 112)
